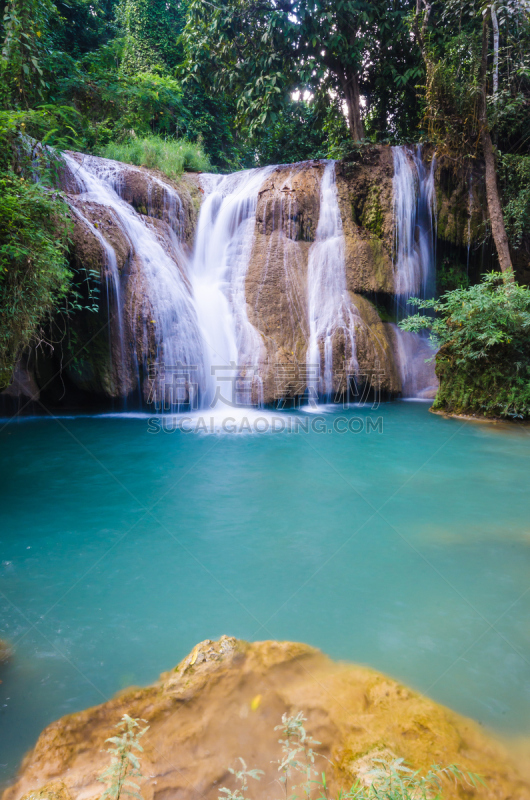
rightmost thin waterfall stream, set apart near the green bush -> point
(415, 264)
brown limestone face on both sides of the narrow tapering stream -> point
(276, 285)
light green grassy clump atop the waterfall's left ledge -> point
(170, 156)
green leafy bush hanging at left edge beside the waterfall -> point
(34, 274)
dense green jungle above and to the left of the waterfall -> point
(191, 84)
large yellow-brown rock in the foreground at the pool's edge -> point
(223, 702)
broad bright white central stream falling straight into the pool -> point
(225, 232)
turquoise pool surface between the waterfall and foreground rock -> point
(407, 550)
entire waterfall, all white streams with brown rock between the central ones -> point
(188, 314)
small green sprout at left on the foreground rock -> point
(124, 764)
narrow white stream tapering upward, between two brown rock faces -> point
(330, 308)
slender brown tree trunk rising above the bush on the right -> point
(492, 190)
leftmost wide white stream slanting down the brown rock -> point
(176, 330)
